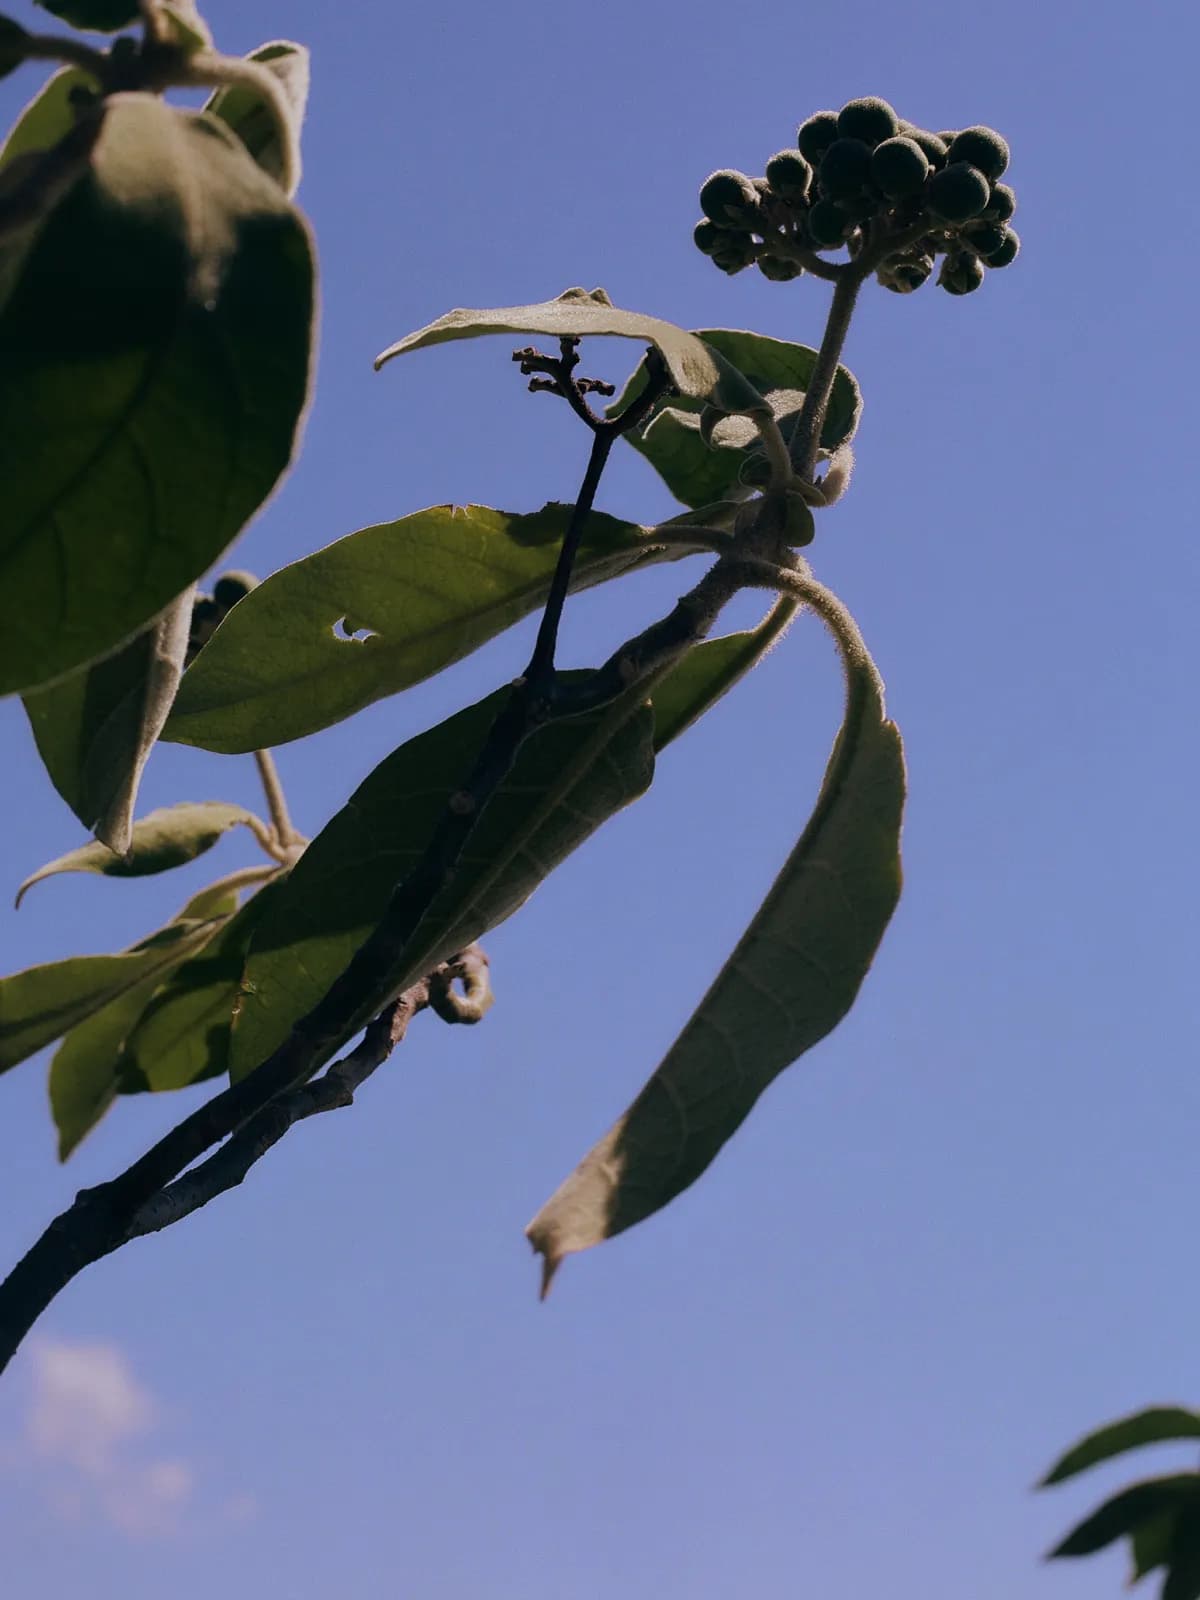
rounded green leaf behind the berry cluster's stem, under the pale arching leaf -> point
(671, 438)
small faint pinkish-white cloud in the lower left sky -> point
(89, 1428)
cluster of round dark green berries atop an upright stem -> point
(894, 194)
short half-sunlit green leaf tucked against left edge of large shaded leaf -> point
(183, 1034)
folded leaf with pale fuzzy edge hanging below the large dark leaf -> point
(95, 730)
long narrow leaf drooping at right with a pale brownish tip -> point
(788, 985)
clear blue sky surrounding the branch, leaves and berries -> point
(962, 1231)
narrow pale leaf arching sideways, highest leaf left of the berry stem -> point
(695, 369)
